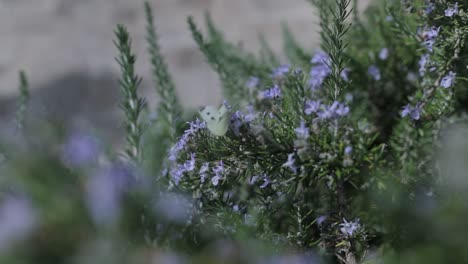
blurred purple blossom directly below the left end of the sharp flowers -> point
(174, 207)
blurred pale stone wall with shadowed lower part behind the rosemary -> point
(66, 48)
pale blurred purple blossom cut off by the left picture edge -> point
(17, 220)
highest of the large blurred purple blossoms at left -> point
(81, 149)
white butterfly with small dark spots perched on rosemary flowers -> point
(217, 120)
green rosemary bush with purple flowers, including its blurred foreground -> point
(351, 153)
